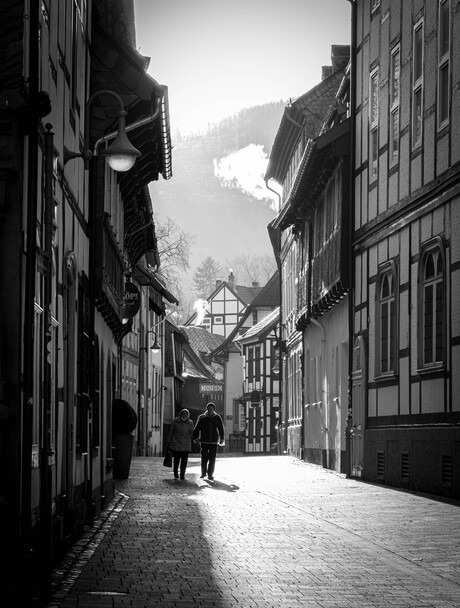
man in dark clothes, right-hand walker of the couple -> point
(209, 429)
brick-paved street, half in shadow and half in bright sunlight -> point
(269, 532)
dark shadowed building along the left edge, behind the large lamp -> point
(72, 229)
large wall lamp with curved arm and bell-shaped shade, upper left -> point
(120, 154)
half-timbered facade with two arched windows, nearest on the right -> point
(406, 323)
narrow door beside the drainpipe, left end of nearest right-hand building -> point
(358, 408)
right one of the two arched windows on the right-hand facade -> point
(432, 299)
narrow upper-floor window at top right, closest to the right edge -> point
(443, 63)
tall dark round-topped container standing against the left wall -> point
(124, 421)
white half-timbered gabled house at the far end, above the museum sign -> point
(225, 307)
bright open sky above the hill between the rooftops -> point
(219, 56)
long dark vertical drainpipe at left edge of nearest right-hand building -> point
(353, 63)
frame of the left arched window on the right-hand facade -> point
(388, 269)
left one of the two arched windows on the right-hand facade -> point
(386, 317)
